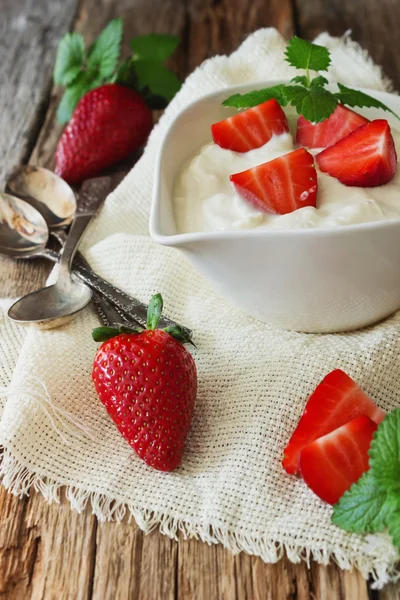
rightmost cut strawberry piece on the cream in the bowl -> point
(366, 157)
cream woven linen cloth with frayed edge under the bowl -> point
(253, 379)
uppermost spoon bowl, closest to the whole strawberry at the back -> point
(48, 193)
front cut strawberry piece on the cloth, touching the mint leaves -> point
(331, 464)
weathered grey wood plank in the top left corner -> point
(29, 34)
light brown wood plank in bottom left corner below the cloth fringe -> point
(46, 551)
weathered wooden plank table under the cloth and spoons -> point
(48, 551)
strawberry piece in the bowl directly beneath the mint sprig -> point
(321, 135)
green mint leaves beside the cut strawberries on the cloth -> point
(373, 503)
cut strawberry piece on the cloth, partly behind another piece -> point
(335, 401)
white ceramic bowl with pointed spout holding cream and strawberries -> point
(313, 280)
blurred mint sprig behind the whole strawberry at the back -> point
(144, 71)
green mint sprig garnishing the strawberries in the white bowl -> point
(307, 94)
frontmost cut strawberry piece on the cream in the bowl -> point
(281, 185)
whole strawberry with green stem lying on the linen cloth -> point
(148, 382)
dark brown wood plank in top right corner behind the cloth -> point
(374, 25)
